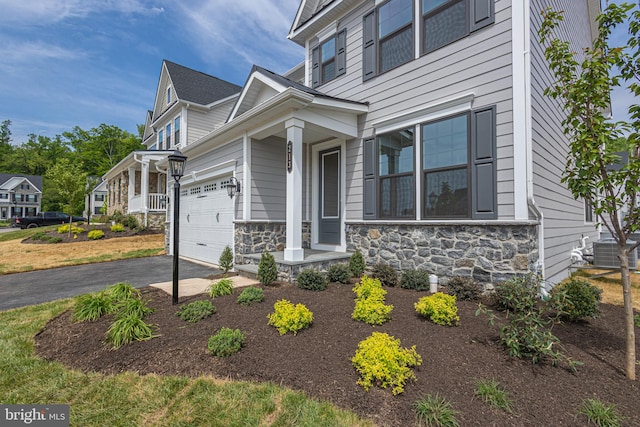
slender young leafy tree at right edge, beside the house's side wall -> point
(583, 88)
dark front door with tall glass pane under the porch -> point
(329, 203)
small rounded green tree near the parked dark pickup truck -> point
(70, 181)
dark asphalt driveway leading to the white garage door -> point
(35, 287)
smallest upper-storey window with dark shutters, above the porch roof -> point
(329, 59)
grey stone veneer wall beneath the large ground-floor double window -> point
(488, 253)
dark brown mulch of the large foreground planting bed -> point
(318, 360)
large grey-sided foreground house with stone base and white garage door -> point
(416, 131)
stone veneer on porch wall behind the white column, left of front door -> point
(255, 237)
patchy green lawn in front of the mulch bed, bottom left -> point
(129, 399)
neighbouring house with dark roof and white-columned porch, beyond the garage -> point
(188, 105)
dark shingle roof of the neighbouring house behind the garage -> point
(200, 88)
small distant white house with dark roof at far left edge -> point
(20, 195)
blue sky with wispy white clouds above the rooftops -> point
(66, 63)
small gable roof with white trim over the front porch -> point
(261, 78)
